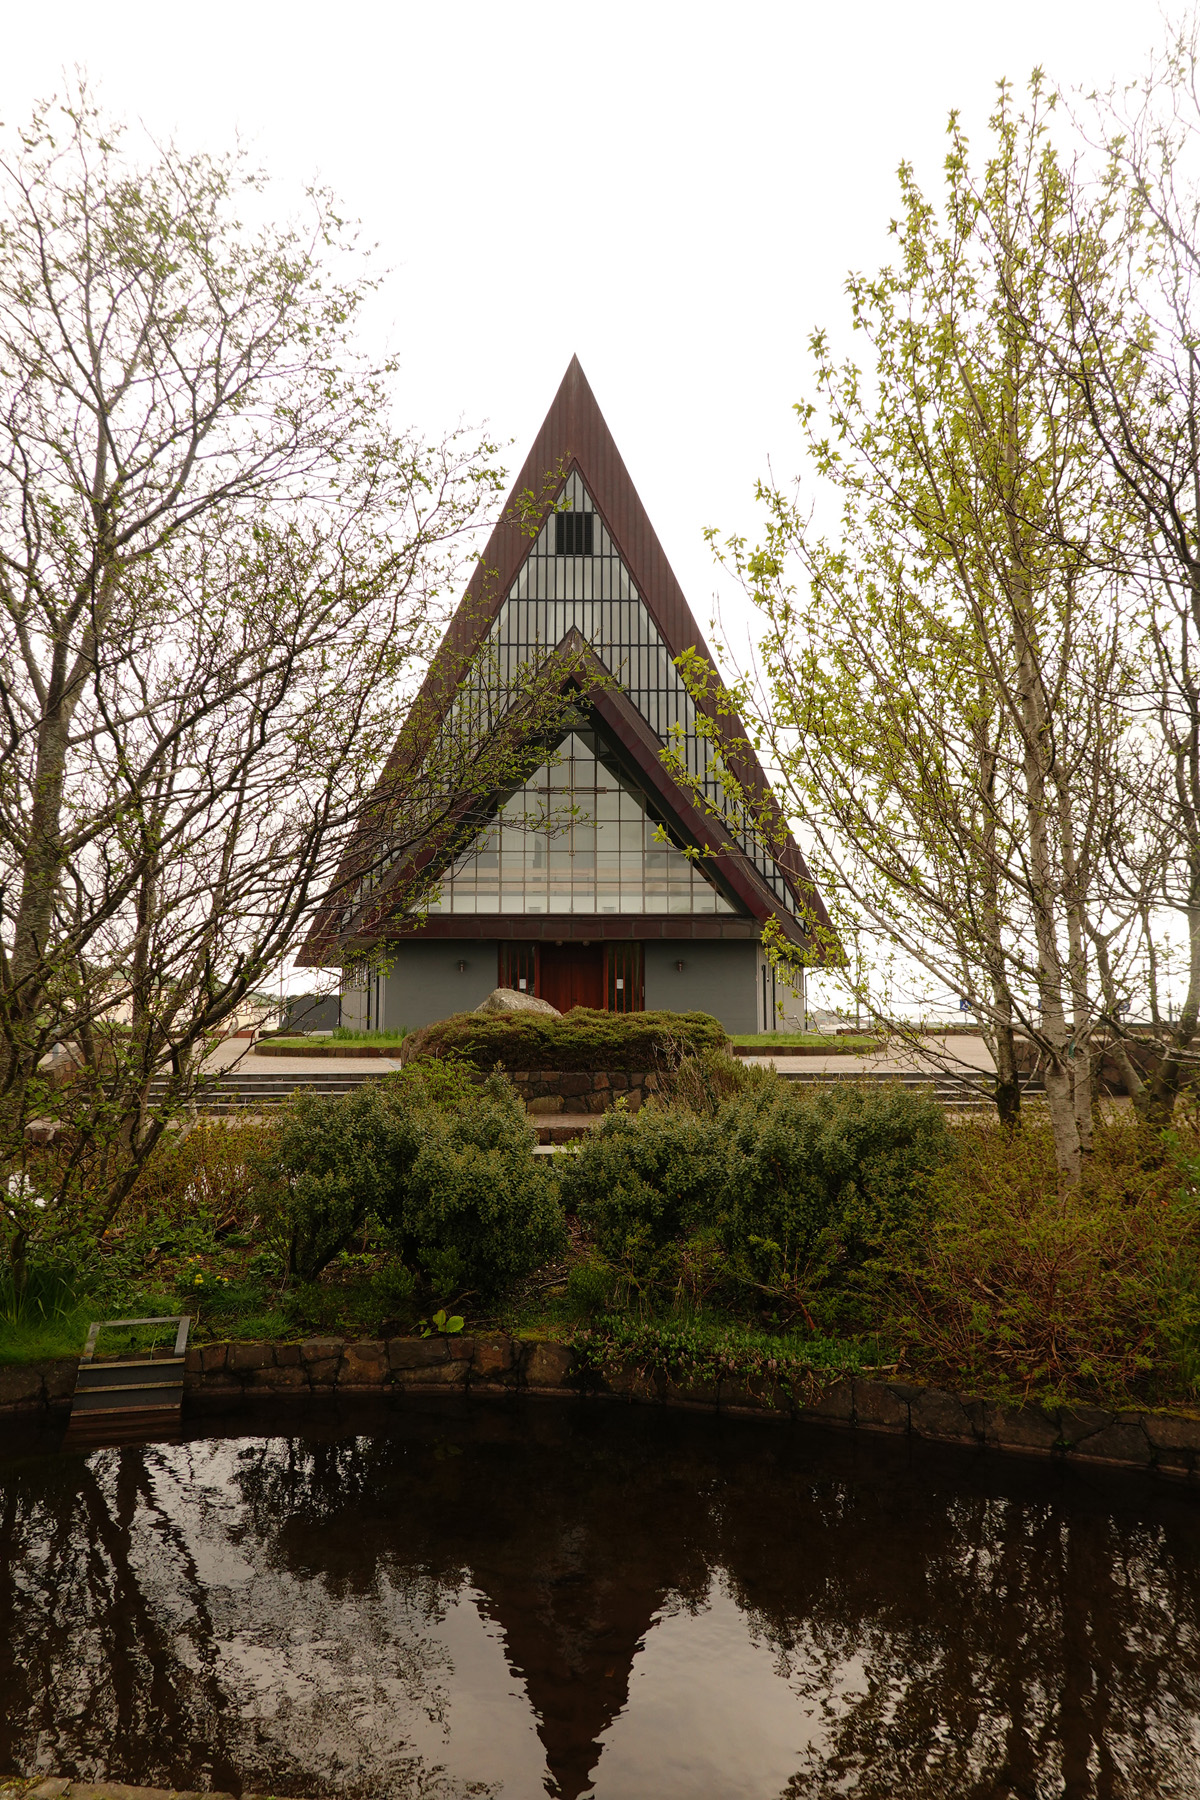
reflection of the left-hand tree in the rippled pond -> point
(114, 1660)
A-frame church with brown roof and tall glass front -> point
(575, 881)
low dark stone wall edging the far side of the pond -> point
(231, 1376)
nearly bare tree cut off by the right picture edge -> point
(1147, 199)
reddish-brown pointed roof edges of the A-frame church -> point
(575, 442)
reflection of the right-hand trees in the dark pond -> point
(983, 1646)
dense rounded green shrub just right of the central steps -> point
(785, 1191)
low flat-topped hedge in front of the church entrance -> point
(582, 1039)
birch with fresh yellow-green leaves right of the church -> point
(951, 676)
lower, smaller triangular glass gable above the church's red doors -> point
(577, 838)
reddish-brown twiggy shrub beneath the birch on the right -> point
(1019, 1290)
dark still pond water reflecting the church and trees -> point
(596, 1601)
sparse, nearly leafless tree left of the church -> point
(220, 568)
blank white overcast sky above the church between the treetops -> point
(672, 190)
